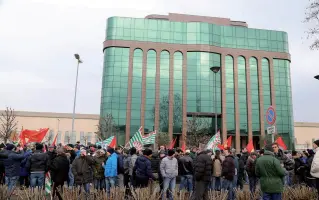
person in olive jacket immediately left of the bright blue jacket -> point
(98, 171)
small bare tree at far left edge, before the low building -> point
(8, 124)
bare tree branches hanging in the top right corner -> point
(312, 18)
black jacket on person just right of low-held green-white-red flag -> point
(59, 167)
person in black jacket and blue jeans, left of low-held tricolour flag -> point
(37, 165)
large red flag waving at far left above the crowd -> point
(27, 136)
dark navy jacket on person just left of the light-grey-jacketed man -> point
(143, 168)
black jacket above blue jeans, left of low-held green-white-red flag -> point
(37, 162)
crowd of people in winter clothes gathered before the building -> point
(196, 170)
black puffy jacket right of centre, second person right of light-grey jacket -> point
(203, 167)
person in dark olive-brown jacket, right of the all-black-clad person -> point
(82, 171)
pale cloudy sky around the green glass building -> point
(39, 37)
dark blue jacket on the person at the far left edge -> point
(12, 164)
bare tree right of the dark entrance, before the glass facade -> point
(198, 131)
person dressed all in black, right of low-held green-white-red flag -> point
(59, 169)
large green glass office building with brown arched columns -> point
(157, 75)
